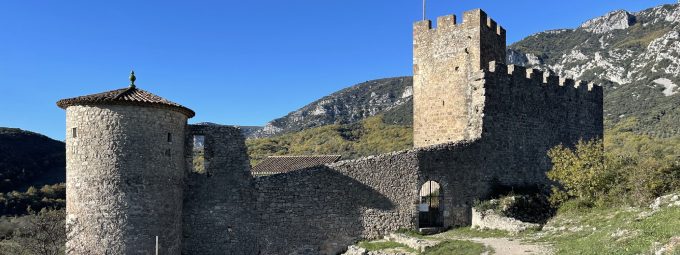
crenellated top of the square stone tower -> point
(471, 19)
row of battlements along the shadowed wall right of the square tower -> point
(539, 78)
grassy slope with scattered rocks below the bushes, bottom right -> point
(610, 230)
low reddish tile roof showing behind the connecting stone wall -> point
(284, 164)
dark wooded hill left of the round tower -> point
(28, 158)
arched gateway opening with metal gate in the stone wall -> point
(429, 208)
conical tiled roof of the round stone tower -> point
(126, 96)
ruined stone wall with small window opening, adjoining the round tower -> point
(219, 210)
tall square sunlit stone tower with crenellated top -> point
(445, 97)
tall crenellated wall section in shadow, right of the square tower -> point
(527, 113)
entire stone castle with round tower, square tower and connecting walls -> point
(479, 126)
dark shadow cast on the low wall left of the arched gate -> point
(316, 210)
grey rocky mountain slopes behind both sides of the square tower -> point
(635, 56)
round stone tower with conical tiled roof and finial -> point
(124, 172)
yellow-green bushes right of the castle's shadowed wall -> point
(625, 168)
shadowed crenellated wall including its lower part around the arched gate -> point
(524, 115)
